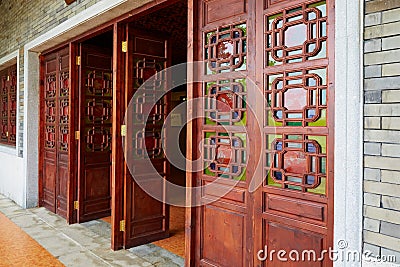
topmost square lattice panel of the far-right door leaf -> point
(297, 34)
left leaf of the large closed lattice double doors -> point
(223, 224)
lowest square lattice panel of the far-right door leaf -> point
(297, 162)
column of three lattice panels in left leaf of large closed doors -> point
(225, 54)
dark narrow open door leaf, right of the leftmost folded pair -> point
(95, 102)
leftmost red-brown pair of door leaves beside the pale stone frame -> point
(55, 128)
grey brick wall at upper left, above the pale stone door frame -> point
(22, 21)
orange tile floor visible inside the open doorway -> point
(176, 242)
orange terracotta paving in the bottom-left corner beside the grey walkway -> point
(19, 249)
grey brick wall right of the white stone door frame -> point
(381, 233)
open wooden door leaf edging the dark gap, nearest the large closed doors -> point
(146, 218)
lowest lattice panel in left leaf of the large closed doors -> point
(225, 155)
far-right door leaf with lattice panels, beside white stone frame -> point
(296, 196)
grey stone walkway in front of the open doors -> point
(86, 244)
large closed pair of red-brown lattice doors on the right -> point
(278, 56)
